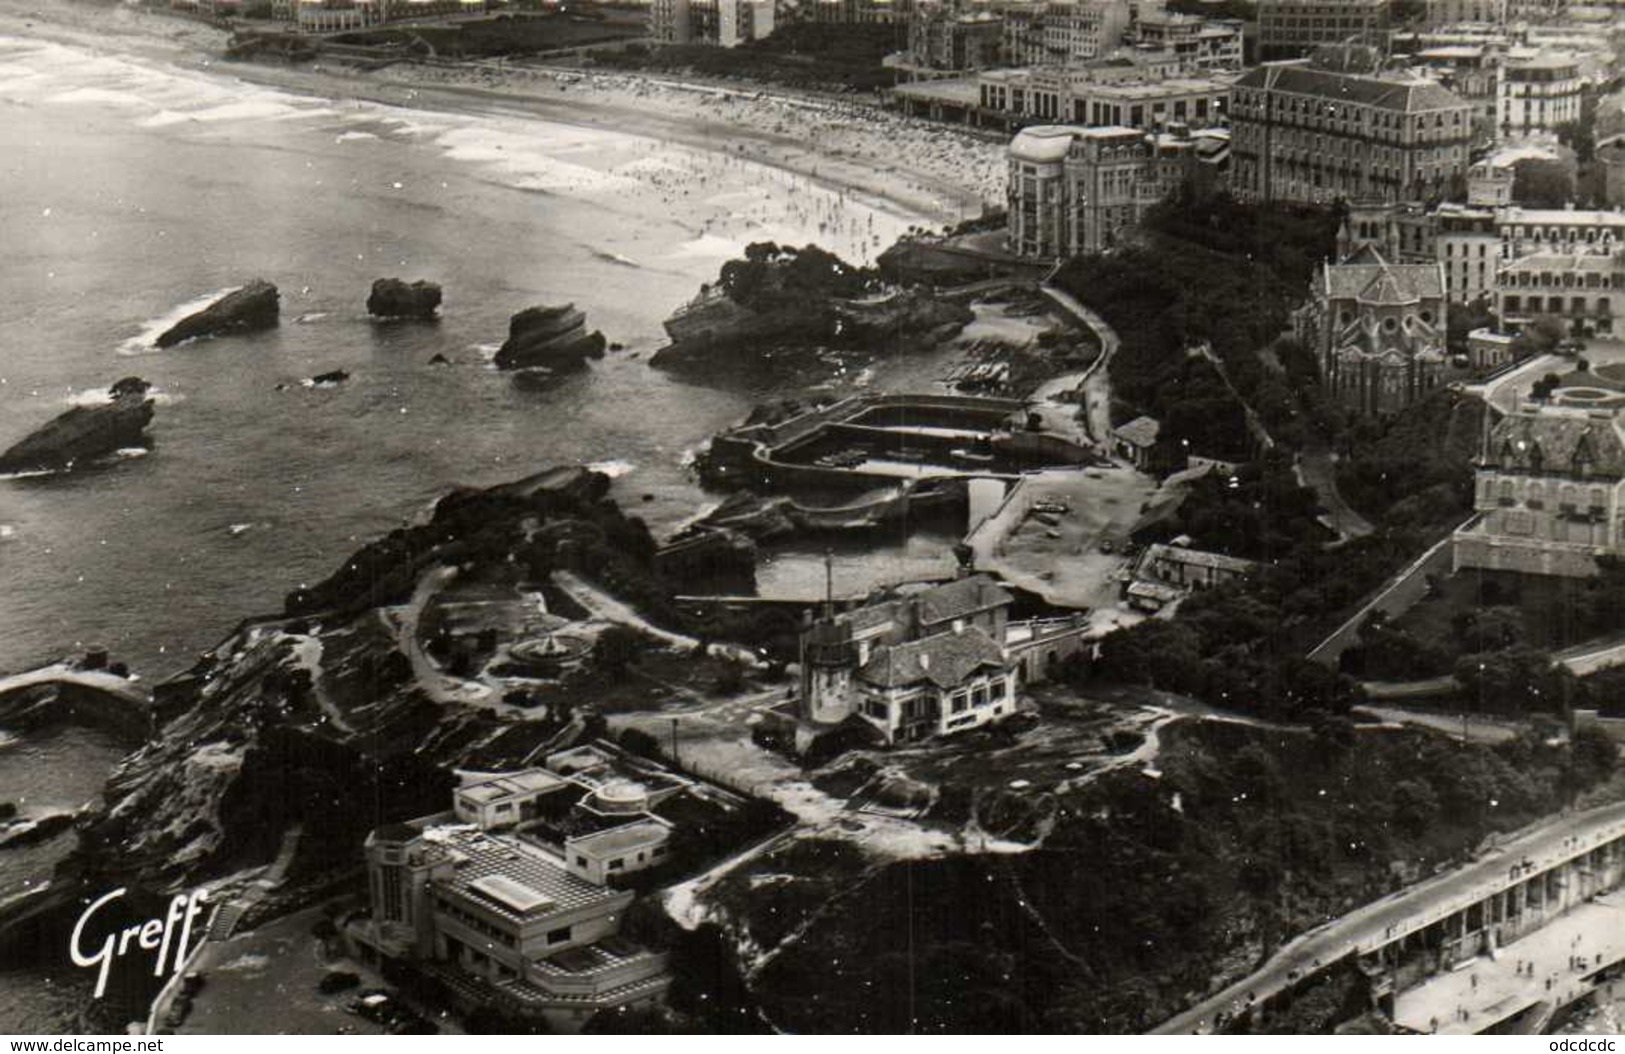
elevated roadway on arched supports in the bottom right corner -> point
(1405, 912)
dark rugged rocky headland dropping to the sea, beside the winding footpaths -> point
(331, 720)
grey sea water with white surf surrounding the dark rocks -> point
(132, 192)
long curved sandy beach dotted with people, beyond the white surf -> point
(869, 153)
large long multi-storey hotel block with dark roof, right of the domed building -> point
(1302, 134)
